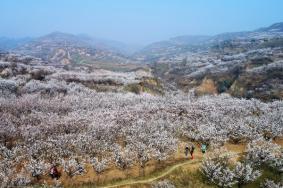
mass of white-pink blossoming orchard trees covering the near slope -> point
(74, 129)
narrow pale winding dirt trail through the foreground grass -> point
(163, 174)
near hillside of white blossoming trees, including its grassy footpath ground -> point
(85, 123)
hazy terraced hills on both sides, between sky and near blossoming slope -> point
(244, 64)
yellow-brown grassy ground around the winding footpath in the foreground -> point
(179, 170)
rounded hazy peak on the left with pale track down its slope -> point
(64, 48)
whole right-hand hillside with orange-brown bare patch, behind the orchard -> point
(244, 64)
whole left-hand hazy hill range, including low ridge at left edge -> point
(64, 48)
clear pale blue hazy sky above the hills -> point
(136, 21)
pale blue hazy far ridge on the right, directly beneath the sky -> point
(182, 46)
